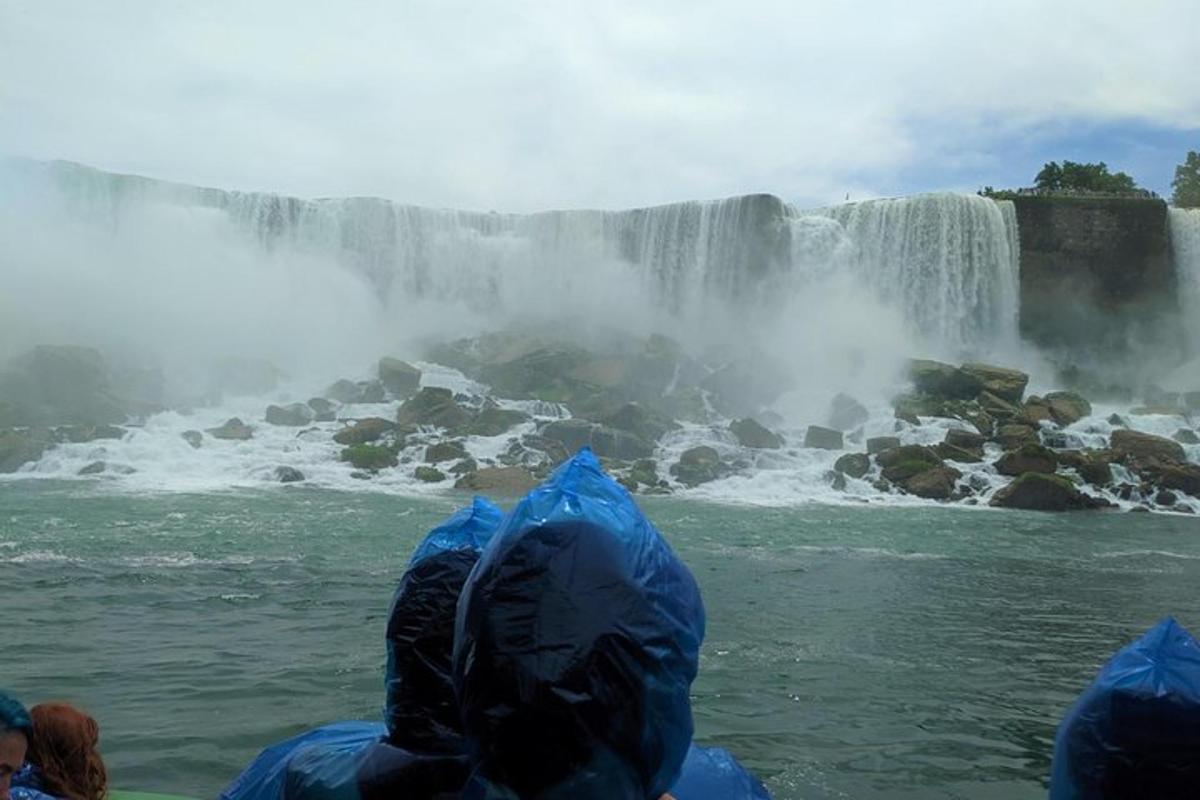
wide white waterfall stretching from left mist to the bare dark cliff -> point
(947, 262)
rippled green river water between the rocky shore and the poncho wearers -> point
(853, 653)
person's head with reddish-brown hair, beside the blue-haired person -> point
(63, 748)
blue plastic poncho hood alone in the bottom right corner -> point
(1136, 732)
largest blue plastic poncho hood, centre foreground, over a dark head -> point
(577, 642)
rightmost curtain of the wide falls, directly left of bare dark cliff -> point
(951, 261)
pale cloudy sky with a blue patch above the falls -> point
(521, 106)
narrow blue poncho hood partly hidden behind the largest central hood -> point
(422, 711)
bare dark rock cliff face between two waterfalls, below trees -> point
(1097, 274)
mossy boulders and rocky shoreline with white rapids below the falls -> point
(537, 401)
